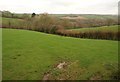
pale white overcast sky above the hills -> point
(61, 6)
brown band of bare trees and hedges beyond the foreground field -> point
(54, 25)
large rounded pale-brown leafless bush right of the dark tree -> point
(44, 23)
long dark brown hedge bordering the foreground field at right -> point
(108, 35)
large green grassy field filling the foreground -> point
(27, 55)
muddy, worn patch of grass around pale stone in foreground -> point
(65, 70)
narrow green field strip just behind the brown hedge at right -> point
(102, 28)
